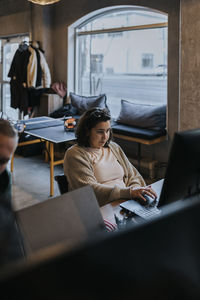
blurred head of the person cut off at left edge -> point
(8, 143)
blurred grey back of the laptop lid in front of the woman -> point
(69, 218)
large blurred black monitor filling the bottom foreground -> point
(158, 259)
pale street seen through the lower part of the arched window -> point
(138, 89)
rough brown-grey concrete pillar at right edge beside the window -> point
(190, 65)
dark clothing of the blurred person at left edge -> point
(11, 246)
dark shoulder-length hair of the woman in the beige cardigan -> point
(89, 120)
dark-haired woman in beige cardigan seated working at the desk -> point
(97, 161)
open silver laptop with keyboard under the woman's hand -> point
(141, 210)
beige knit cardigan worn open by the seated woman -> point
(78, 168)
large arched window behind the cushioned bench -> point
(123, 53)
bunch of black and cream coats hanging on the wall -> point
(30, 76)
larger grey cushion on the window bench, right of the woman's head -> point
(142, 116)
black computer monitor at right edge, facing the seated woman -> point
(182, 177)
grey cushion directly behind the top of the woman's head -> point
(83, 103)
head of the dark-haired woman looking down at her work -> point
(94, 128)
